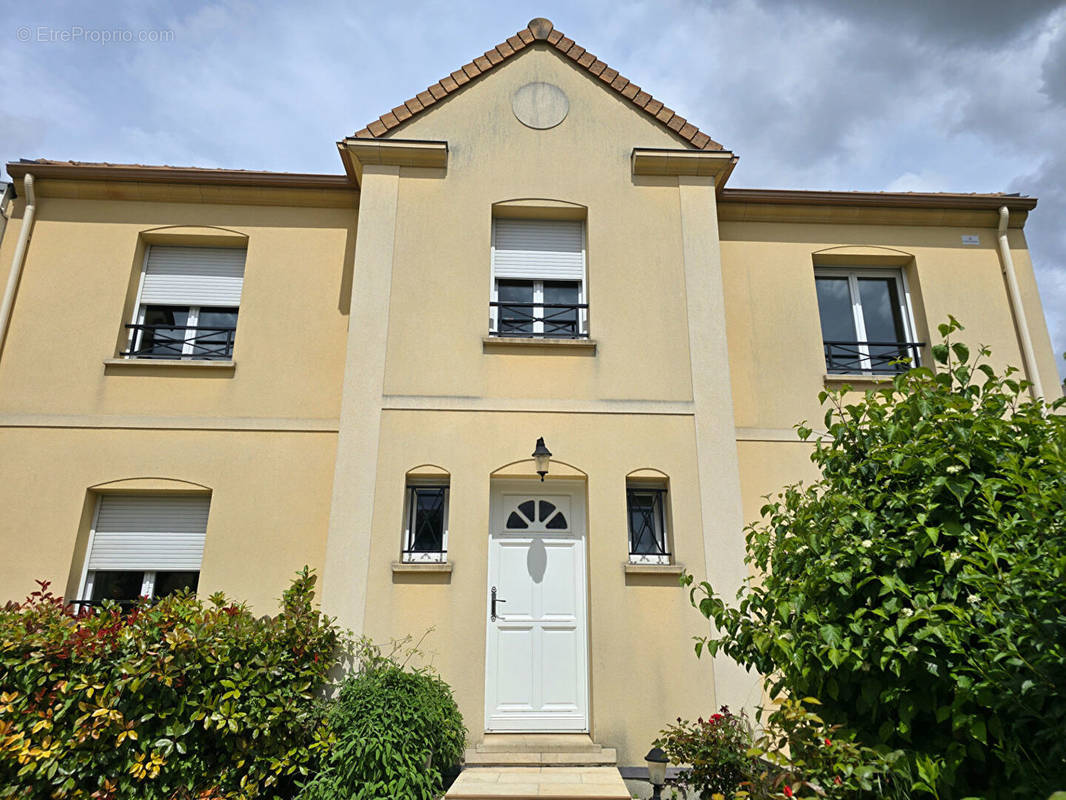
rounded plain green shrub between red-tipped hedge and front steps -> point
(389, 723)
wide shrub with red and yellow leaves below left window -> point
(176, 699)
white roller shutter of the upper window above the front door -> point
(546, 250)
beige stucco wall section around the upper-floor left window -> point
(77, 292)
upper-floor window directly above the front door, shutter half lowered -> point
(539, 279)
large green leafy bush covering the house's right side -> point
(917, 588)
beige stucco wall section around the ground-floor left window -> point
(270, 501)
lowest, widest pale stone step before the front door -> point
(520, 783)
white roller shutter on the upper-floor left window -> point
(205, 277)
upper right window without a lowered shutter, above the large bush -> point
(866, 322)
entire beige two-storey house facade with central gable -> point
(211, 378)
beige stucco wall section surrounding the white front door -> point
(643, 669)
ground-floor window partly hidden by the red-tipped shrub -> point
(144, 547)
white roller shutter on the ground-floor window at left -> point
(150, 533)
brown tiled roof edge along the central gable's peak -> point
(541, 30)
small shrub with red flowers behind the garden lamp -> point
(716, 749)
